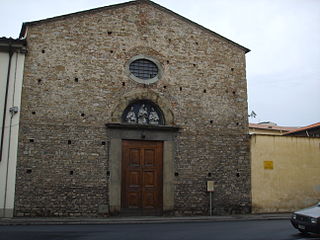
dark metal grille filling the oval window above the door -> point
(143, 69)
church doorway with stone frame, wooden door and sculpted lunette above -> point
(141, 161)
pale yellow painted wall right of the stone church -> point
(294, 181)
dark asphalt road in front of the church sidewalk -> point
(236, 230)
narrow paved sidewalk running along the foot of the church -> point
(140, 220)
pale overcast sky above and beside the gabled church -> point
(283, 67)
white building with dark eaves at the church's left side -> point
(12, 54)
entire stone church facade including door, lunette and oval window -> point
(131, 109)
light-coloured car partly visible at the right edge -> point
(307, 220)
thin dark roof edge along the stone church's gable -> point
(159, 7)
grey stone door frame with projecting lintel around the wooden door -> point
(117, 132)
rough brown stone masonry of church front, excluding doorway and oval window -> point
(74, 79)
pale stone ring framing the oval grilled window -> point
(140, 80)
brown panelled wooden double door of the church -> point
(142, 163)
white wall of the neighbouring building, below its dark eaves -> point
(11, 128)
